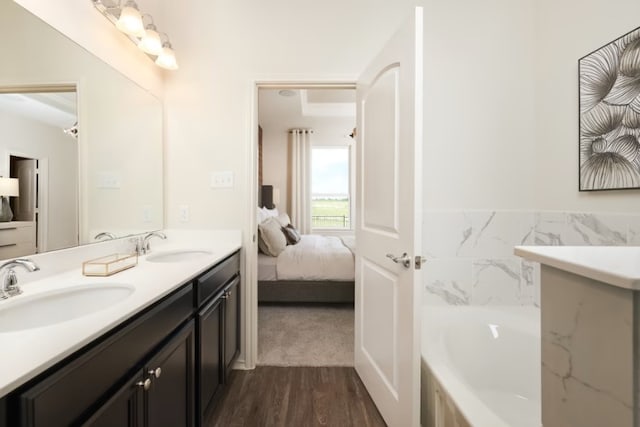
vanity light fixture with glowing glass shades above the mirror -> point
(126, 16)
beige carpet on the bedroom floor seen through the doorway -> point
(305, 335)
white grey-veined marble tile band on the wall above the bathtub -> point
(470, 253)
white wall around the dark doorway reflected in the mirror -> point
(29, 138)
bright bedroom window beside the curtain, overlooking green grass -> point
(330, 188)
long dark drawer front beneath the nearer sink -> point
(73, 389)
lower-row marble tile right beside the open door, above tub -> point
(447, 280)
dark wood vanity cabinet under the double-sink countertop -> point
(164, 366)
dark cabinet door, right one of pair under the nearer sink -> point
(169, 400)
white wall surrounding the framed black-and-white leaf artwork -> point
(565, 32)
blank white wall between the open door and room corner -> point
(479, 104)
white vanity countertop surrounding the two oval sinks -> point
(26, 353)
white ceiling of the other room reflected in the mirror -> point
(56, 109)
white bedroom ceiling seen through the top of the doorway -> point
(308, 108)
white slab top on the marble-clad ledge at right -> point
(615, 265)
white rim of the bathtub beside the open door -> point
(434, 354)
